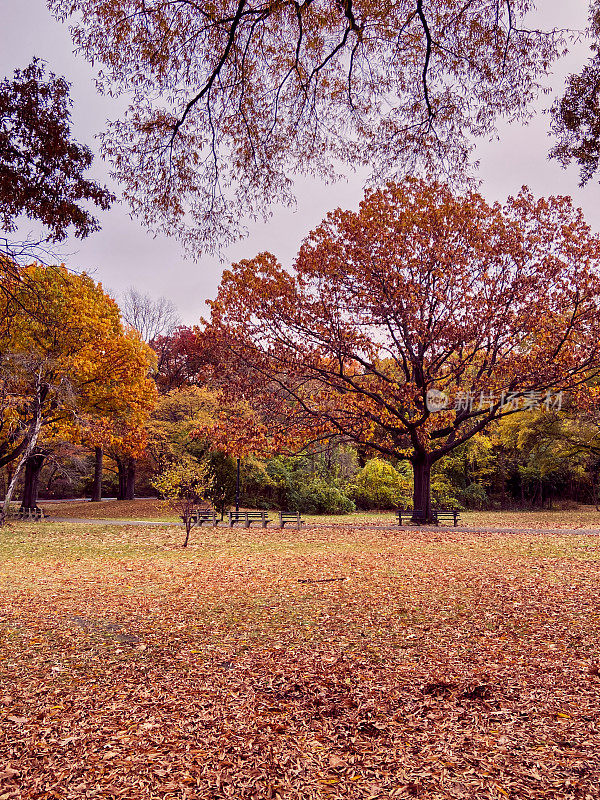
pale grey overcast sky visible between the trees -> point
(122, 254)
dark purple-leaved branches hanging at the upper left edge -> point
(41, 166)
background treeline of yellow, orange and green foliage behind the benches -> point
(112, 412)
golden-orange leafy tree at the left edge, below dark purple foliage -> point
(66, 365)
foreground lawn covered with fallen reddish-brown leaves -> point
(444, 665)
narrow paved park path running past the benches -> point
(365, 526)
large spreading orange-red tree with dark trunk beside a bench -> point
(419, 292)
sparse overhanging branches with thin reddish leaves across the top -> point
(229, 100)
